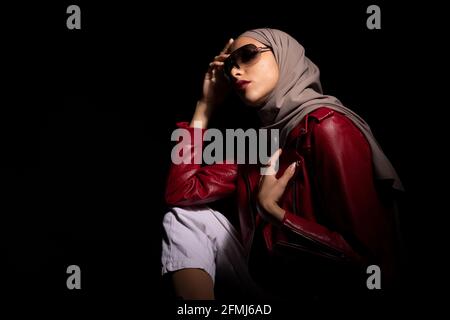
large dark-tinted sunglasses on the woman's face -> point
(243, 57)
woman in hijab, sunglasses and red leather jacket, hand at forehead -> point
(325, 215)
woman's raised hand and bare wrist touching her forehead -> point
(215, 89)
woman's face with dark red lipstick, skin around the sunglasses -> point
(255, 82)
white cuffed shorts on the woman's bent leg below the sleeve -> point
(199, 237)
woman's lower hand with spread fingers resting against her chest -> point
(271, 189)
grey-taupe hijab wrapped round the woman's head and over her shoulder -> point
(299, 92)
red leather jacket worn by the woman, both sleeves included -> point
(332, 206)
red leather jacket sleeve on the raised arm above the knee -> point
(190, 183)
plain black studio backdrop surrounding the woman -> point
(87, 117)
